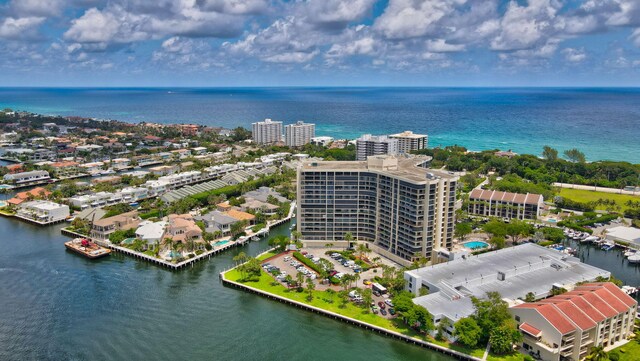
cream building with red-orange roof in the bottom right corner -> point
(567, 326)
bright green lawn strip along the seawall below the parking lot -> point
(322, 300)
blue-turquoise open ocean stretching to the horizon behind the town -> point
(604, 123)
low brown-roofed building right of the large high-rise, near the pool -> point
(504, 204)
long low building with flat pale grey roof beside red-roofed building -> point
(513, 272)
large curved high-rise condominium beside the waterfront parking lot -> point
(405, 211)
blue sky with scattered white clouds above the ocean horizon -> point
(319, 43)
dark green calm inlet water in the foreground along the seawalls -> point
(56, 305)
